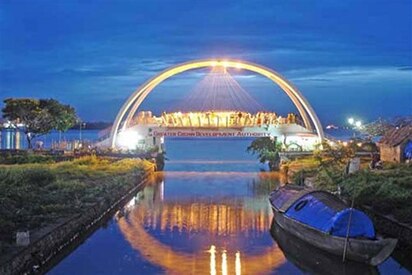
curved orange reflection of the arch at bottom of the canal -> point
(202, 262)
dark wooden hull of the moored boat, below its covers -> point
(367, 251)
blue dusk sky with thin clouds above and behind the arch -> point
(347, 57)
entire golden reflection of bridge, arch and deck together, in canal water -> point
(229, 219)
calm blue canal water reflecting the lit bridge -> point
(208, 213)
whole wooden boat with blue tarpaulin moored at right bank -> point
(325, 221)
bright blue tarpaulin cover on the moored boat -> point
(321, 211)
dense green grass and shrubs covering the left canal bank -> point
(34, 194)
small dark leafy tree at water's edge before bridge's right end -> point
(267, 150)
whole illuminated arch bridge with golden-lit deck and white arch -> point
(133, 127)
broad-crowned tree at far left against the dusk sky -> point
(39, 117)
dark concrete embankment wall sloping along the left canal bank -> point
(38, 255)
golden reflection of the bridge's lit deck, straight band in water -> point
(217, 218)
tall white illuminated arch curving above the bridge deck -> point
(144, 90)
